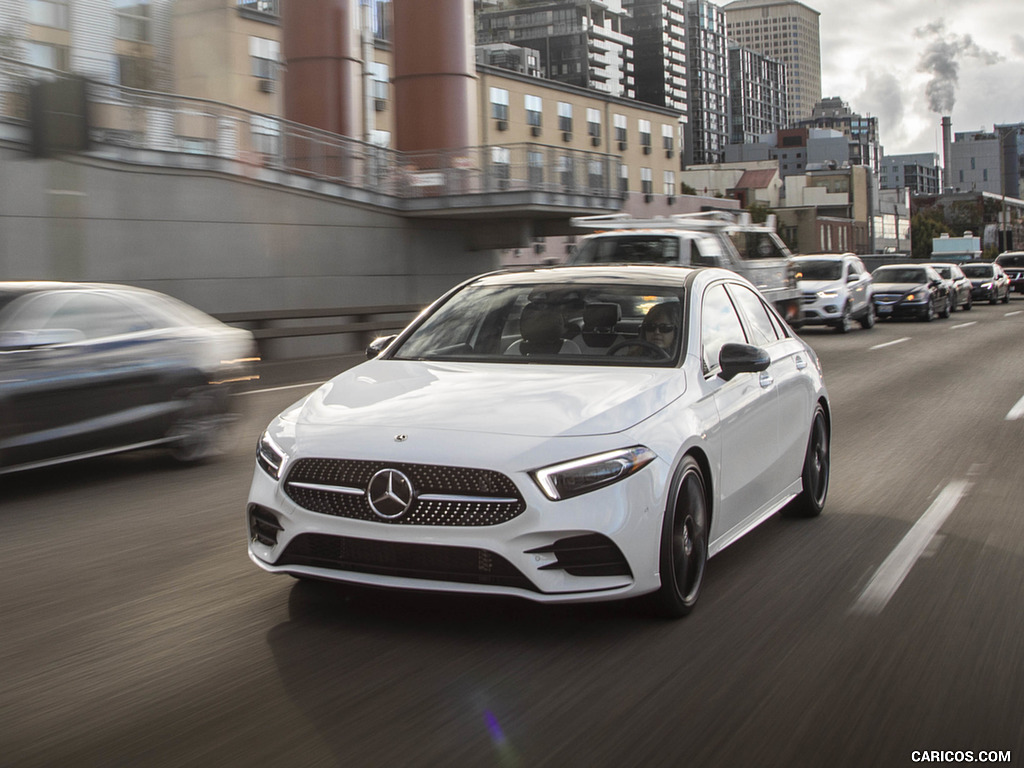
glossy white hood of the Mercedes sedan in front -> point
(497, 399)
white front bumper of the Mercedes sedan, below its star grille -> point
(600, 546)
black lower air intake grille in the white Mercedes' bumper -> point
(433, 563)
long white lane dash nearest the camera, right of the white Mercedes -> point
(892, 573)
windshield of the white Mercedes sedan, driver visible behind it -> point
(600, 324)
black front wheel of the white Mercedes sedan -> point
(685, 544)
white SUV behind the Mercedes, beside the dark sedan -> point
(837, 291)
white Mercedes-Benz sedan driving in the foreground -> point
(560, 435)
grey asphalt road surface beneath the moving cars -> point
(137, 632)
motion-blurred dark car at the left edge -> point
(88, 370)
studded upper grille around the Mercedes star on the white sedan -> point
(444, 496)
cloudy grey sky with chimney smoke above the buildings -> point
(911, 62)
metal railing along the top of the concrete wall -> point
(132, 120)
